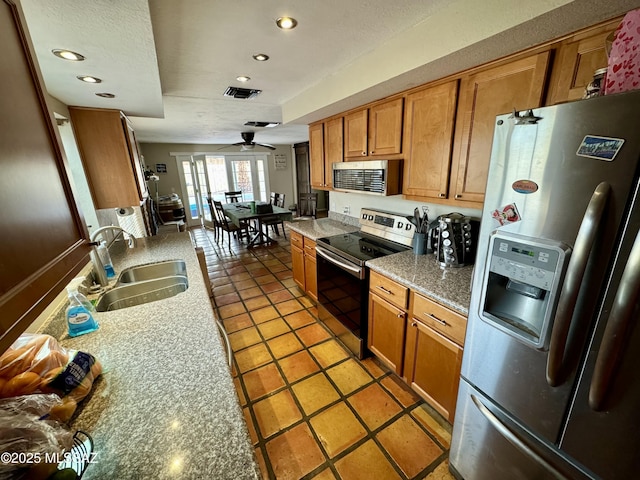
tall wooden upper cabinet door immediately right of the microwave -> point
(428, 138)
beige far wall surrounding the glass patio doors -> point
(280, 180)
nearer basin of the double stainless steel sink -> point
(131, 294)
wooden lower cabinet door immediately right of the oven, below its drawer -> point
(386, 332)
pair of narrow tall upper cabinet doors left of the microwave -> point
(325, 148)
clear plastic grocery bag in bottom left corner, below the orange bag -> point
(30, 447)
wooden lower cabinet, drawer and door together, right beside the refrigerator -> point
(433, 353)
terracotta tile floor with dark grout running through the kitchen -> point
(313, 410)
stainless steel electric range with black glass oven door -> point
(343, 279)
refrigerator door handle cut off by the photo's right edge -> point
(613, 340)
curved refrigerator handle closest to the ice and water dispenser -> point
(585, 242)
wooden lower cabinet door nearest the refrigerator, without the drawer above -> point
(432, 367)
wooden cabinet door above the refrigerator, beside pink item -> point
(576, 60)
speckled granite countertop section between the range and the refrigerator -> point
(450, 287)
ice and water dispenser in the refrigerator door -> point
(522, 282)
